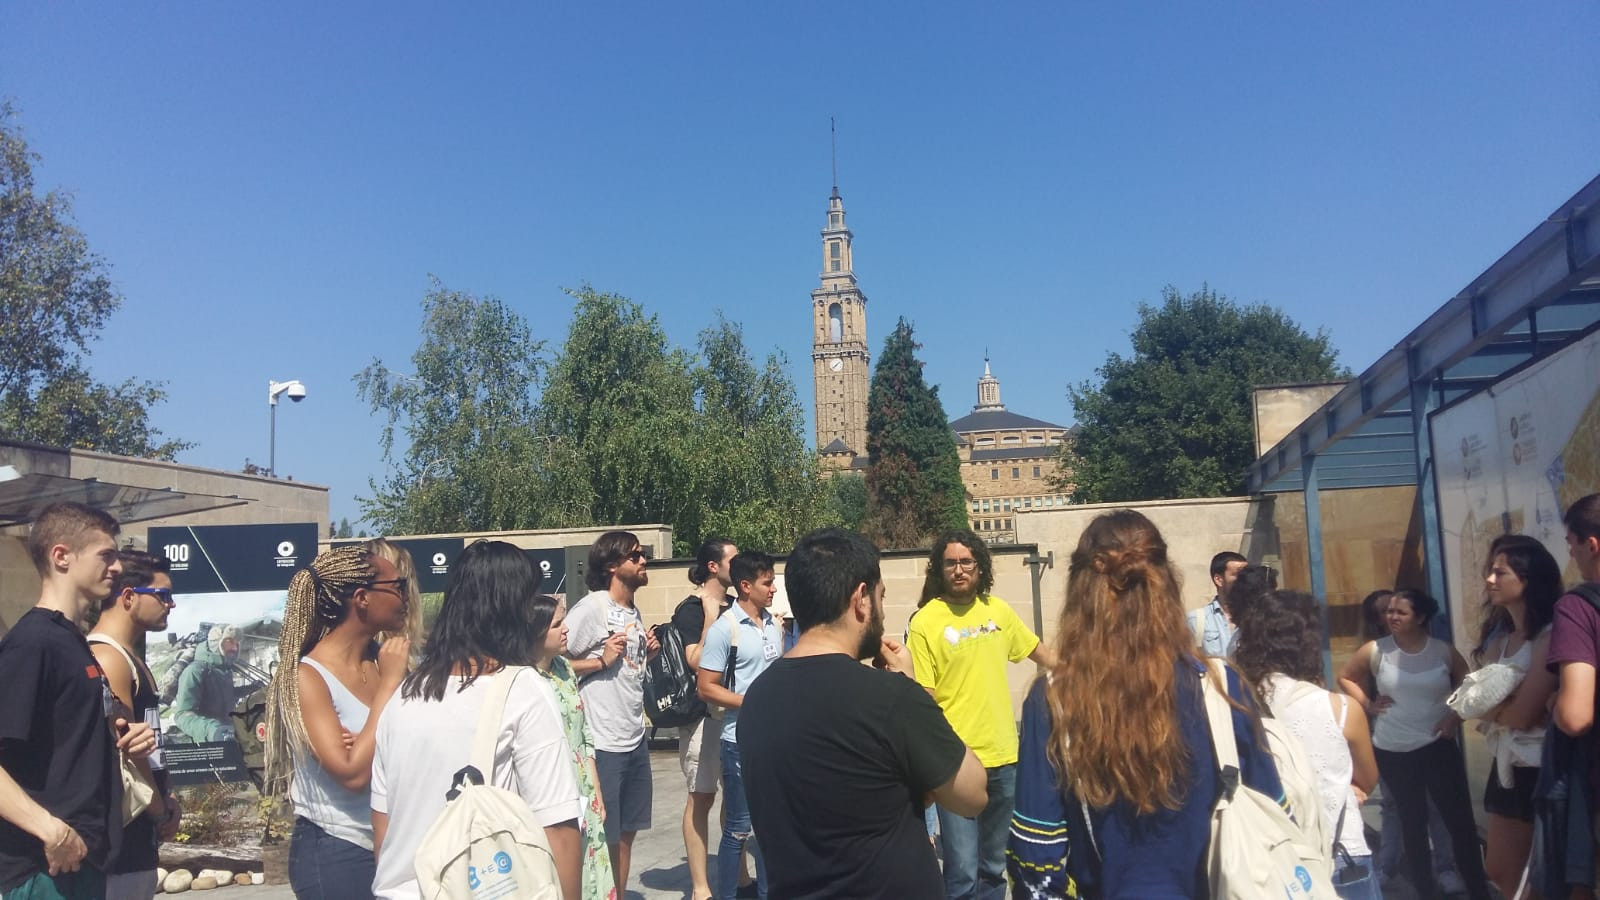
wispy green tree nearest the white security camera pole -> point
(470, 457)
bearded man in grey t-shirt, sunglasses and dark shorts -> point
(609, 645)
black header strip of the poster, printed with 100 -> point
(210, 560)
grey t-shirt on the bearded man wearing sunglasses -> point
(614, 697)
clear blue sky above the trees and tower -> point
(273, 185)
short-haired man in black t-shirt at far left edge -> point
(60, 782)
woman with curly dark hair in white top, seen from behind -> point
(1279, 649)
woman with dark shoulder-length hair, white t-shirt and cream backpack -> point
(486, 624)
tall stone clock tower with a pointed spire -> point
(839, 350)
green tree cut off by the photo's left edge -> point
(55, 299)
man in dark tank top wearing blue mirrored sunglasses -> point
(140, 601)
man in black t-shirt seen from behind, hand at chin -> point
(839, 758)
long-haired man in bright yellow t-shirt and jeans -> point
(962, 640)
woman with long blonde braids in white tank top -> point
(330, 685)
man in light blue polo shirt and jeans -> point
(738, 649)
